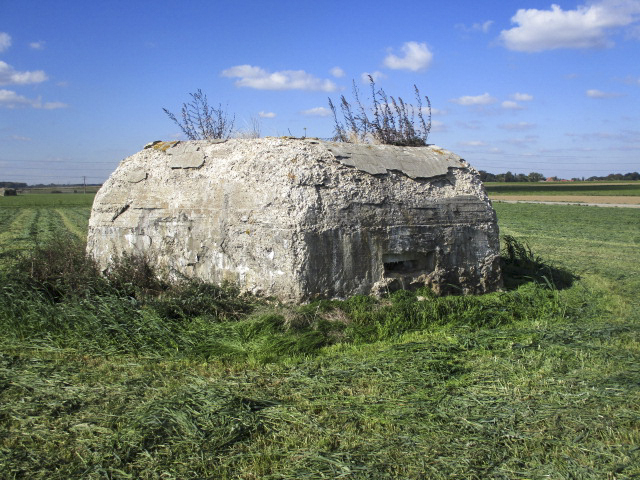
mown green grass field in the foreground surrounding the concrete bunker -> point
(540, 381)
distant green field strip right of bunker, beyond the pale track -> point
(567, 188)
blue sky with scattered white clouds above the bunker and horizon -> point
(521, 86)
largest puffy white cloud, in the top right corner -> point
(588, 26)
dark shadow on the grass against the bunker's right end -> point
(520, 266)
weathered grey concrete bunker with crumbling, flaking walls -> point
(302, 219)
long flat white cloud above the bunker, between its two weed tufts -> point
(260, 79)
